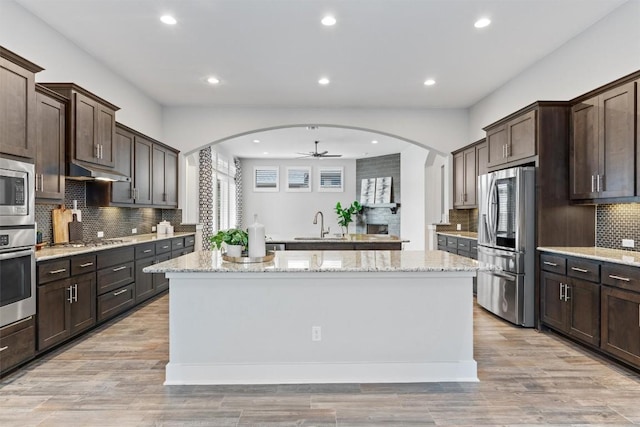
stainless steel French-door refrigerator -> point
(506, 238)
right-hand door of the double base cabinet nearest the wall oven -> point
(83, 305)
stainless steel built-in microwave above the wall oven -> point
(17, 193)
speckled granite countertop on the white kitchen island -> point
(324, 261)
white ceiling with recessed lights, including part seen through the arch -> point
(272, 52)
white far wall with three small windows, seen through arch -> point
(289, 214)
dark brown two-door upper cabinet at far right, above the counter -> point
(602, 163)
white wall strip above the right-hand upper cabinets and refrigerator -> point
(608, 50)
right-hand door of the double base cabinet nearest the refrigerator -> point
(583, 299)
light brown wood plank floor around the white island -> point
(114, 376)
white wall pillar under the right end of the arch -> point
(412, 207)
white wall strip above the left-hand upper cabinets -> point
(63, 61)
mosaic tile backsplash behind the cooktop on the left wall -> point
(114, 222)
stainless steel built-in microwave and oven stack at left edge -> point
(17, 240)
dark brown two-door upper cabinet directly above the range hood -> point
(91, 125)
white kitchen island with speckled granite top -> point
(321, 317)
